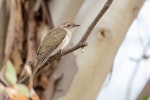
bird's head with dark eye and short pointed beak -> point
(68, 26)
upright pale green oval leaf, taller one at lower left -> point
(10, 73)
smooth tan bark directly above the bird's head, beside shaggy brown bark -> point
(64, 10)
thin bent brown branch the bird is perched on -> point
(82, 42)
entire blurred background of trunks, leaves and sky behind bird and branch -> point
(114, 66)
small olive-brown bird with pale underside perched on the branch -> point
(55, 40)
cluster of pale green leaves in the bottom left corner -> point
(11, 79)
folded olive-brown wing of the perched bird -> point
(50, 42)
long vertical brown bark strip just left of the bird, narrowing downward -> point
(30, 25)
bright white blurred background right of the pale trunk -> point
(132, 73)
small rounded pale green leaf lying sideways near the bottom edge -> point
(22, 89)
